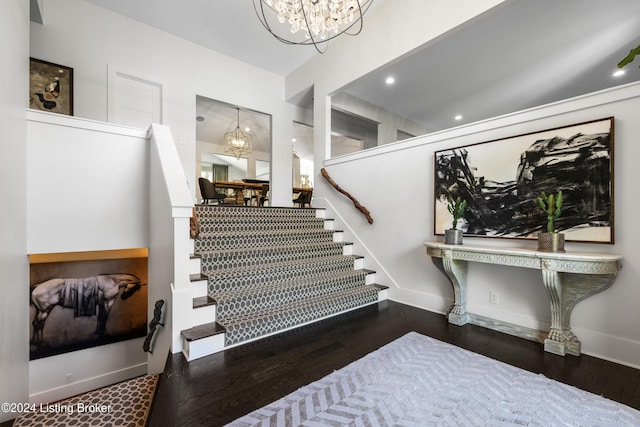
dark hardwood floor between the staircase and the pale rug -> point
(219, 388)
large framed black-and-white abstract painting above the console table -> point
(501, 180)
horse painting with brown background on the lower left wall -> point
(80, 300)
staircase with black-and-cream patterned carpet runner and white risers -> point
(259, 271)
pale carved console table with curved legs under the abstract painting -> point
(568, 278)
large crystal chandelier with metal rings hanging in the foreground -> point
(311, 21)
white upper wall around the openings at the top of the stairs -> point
(89, 39)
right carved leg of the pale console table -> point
(565, 290)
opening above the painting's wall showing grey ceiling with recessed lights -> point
(506, 60)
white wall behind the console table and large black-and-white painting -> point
(402, 207)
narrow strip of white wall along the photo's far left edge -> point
(14, 326)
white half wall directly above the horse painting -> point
(78, 178)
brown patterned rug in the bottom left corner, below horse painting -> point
(123, 404)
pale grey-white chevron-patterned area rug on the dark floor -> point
(420, 381)
